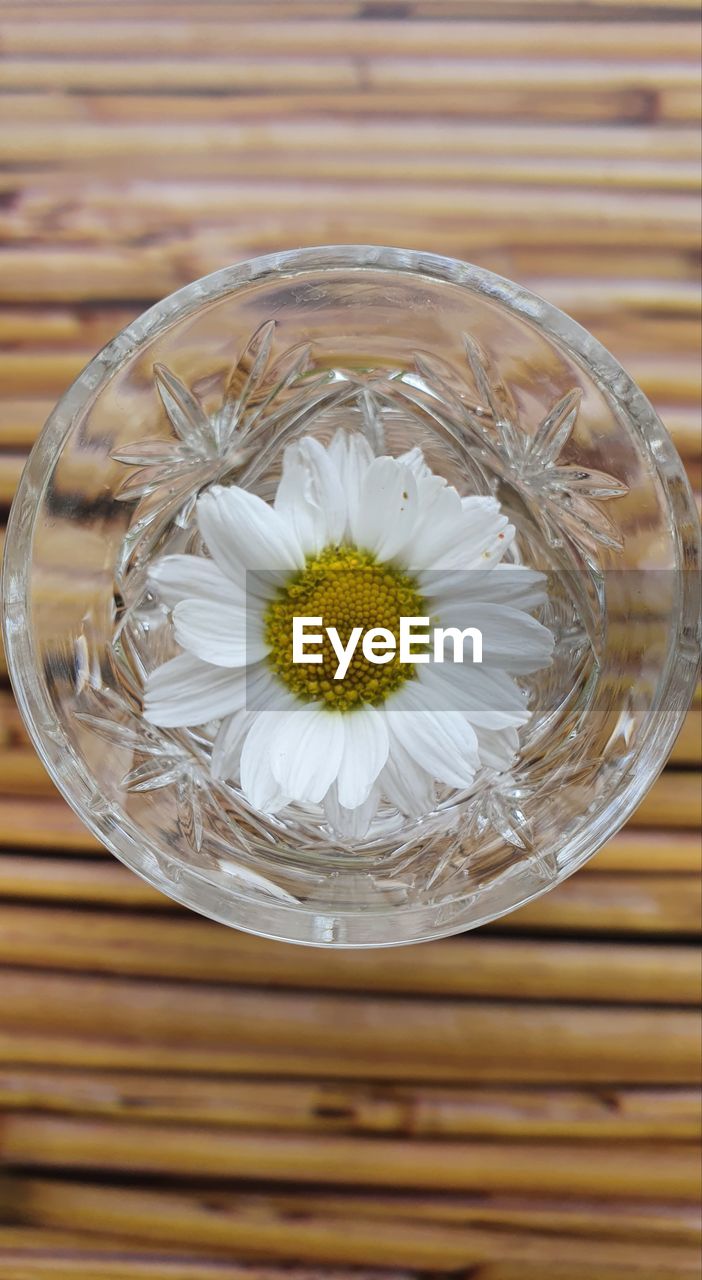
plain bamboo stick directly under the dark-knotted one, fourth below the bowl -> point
(660, 1172)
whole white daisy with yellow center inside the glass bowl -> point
(359, 541)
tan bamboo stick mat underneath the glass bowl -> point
(183, 1101)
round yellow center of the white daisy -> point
(347, 588)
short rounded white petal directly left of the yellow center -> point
(227, 636)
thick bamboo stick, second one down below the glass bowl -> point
(372, 1037)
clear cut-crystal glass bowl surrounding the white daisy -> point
(505, 396)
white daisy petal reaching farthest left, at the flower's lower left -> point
(190, 692)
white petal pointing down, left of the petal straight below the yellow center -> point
(307, 755)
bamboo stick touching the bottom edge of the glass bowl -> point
(467, 967)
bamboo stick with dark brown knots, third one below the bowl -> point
(418, 1112)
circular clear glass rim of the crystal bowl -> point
(30, 687)
